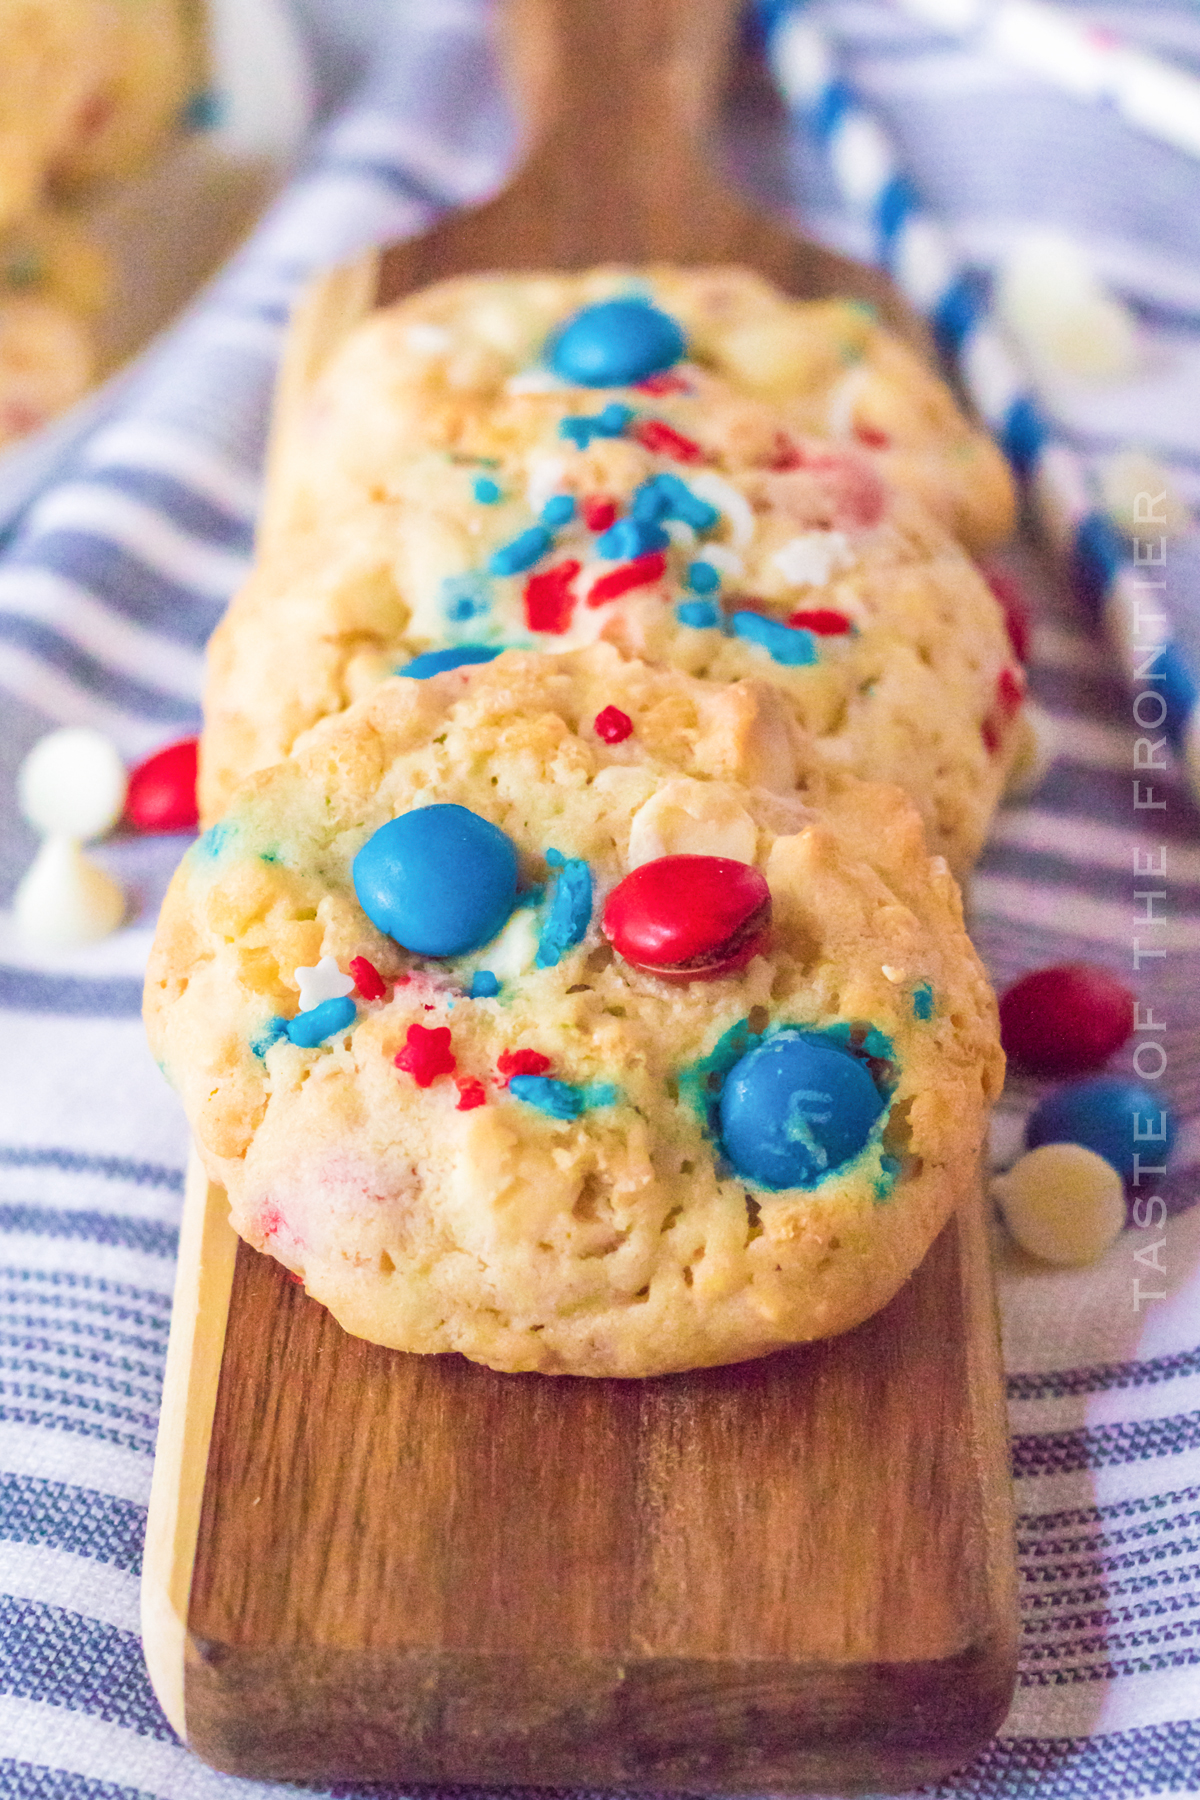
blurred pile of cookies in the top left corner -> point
(89, 93)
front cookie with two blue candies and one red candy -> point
(517, 1151)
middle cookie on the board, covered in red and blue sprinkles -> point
(553, 517)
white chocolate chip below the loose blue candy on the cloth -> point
(1062, 1203)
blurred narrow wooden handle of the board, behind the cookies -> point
(618, 100)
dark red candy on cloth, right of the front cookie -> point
(1066, 1020)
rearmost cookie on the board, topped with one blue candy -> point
(429, 368)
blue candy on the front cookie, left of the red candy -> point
(438, 879)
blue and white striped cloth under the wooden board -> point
(109, 586)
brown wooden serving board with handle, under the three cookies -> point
(787, 1576)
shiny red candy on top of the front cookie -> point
(690, 919)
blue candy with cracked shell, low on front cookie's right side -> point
(794, 1110)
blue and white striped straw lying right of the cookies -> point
(1125, 595)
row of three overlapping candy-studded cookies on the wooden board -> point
(573, 973)
